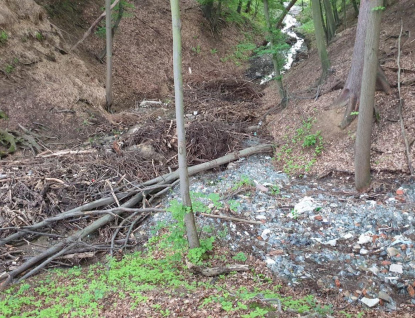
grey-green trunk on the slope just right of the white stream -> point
(321, 43)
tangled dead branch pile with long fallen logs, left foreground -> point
(111, 200)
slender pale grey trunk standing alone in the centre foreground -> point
(189, 219)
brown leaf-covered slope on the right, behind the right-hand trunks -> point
(387, 143)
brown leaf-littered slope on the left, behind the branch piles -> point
(46, 87)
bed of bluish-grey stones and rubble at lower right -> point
(317, 234)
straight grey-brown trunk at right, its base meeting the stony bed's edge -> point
(367, 98)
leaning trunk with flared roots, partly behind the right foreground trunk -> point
(350, 94)
